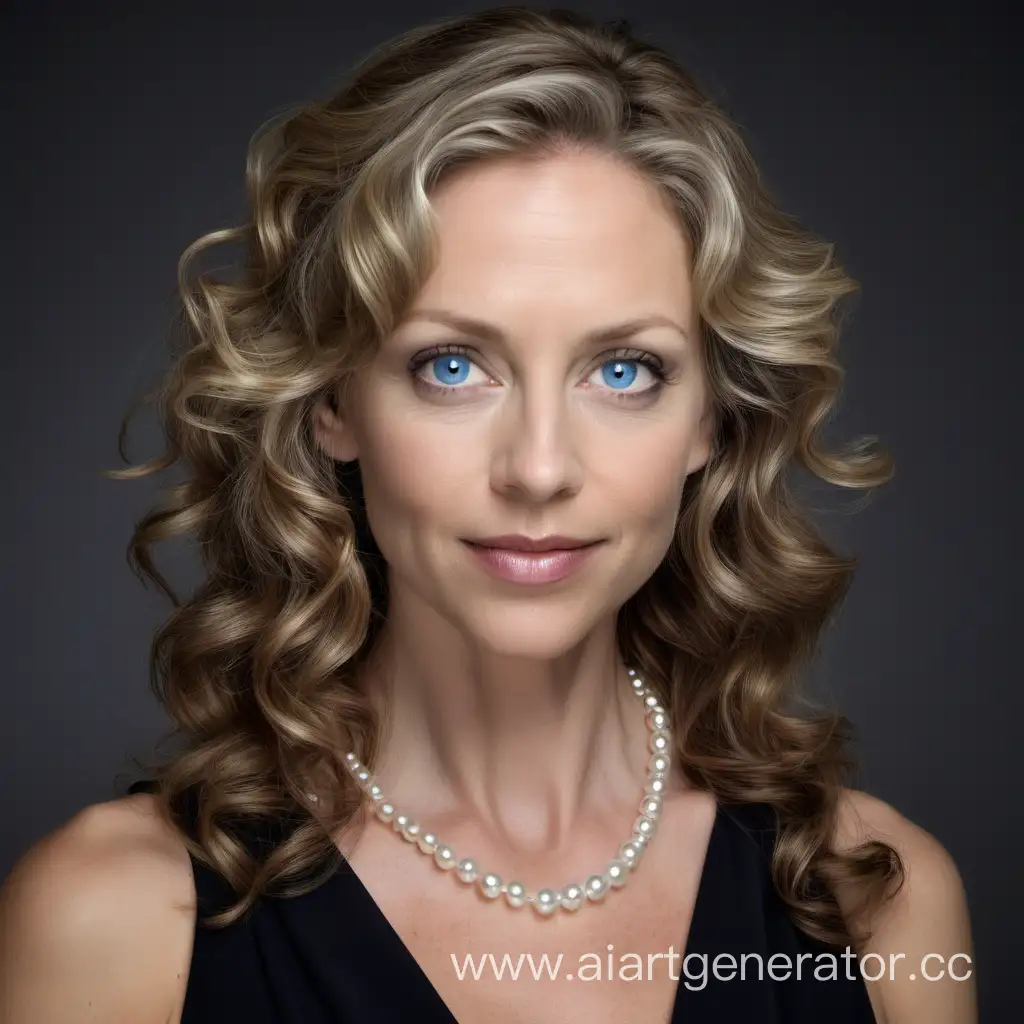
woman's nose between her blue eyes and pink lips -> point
(537, 458)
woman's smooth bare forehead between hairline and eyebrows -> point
(572, 238)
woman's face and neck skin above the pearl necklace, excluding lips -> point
(513, 696)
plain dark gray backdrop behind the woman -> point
(891, 134)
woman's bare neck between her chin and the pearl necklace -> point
(520, 748)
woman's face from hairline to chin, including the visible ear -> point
(498, 407)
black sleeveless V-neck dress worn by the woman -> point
(331, 957)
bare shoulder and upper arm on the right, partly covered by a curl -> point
(921, 946)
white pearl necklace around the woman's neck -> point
(573, 897)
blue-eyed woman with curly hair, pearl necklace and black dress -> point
(506, 593)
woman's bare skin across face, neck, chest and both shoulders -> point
(511, 732)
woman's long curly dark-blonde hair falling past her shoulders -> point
(257, 668)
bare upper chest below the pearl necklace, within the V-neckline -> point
(613, 962)
